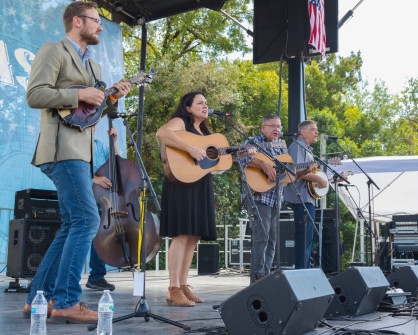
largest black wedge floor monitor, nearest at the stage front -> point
(284, 302)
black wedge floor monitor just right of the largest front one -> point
(358, 291)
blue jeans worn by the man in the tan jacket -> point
(60, 271)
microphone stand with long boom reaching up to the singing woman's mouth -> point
(279, 166)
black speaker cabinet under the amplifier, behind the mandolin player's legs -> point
(29, 239)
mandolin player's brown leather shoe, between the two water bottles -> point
(75, 314)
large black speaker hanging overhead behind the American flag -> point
(282, 30)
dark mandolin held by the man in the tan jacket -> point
(86, 115)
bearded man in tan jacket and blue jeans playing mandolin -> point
(65, 155)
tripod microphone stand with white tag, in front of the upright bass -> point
(142, 308)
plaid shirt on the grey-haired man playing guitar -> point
(268, 198)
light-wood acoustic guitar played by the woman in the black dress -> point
(180, 167)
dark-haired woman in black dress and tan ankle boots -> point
(187, 213)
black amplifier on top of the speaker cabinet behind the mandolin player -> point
(36, 204)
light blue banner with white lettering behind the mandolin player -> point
(25, 26)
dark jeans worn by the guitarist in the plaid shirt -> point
(263, 241)
